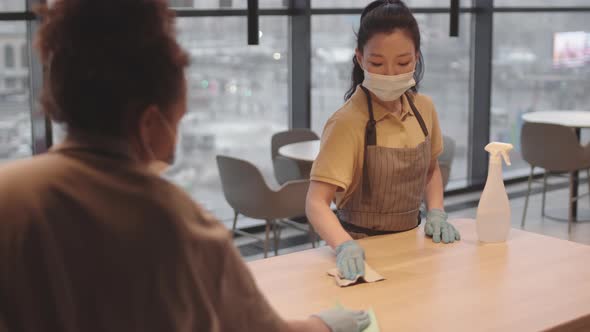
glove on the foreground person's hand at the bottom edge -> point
(343, 320)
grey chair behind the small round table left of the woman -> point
(287, 169)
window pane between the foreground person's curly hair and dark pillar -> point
(238, 98)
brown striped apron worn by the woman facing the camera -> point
(393, 184)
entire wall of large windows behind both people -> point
(239, 94)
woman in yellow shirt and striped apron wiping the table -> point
(378, 157)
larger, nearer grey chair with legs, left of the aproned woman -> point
(248, 194)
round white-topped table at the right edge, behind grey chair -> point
(573, 119)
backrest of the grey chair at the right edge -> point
(552, 147)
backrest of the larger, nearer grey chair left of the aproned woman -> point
(243, 186)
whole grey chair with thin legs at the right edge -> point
(556, 149)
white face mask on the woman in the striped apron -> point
(388, 87)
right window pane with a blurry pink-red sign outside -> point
(531, 71)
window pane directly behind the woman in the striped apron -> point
(446, 79)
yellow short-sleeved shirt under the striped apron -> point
(340, 160)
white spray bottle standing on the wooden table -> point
(493, 211)
